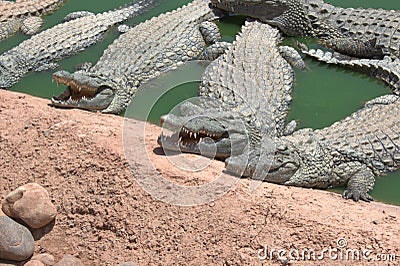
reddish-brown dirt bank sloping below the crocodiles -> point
(109, 212)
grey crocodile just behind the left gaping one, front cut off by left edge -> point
(42, 50)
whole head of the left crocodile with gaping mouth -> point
(84, 90)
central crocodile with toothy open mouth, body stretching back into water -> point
(243, 95)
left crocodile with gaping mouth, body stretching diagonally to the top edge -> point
(144, 52)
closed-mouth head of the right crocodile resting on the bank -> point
(297, 160)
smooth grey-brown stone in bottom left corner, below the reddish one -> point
(16, 242)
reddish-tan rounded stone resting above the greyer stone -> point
(30, 203)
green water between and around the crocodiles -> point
(322, 95)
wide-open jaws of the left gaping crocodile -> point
(81, 95)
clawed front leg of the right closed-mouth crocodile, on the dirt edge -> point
(362, 180)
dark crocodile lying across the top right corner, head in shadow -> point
(358, 32)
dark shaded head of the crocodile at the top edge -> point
(262, 9)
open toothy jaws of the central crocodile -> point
(215, 144)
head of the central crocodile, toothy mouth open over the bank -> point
(209, 133)
